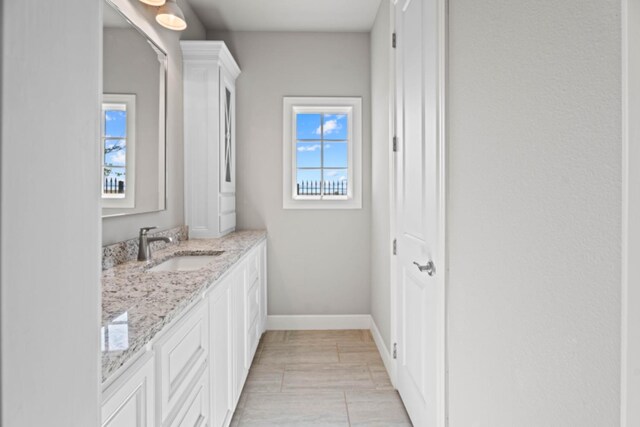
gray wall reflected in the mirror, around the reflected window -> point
(130, 66)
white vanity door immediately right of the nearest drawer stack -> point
(221, 353)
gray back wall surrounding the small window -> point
(318, 260)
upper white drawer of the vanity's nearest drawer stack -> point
(180, 354)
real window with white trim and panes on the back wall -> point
(322, 153)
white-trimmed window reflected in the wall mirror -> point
(118, 142)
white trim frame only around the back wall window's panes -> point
(349, 105)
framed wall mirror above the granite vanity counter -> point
(133, 140)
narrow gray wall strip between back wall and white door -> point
(381, 62)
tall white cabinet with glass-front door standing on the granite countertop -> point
(209, 73)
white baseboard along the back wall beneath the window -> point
(318, 322)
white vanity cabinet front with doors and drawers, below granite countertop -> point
(194, 371)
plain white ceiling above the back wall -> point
(287, 15)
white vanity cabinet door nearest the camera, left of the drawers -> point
(129, 401)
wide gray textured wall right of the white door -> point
(534, 213)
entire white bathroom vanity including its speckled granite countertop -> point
(178, 341)
